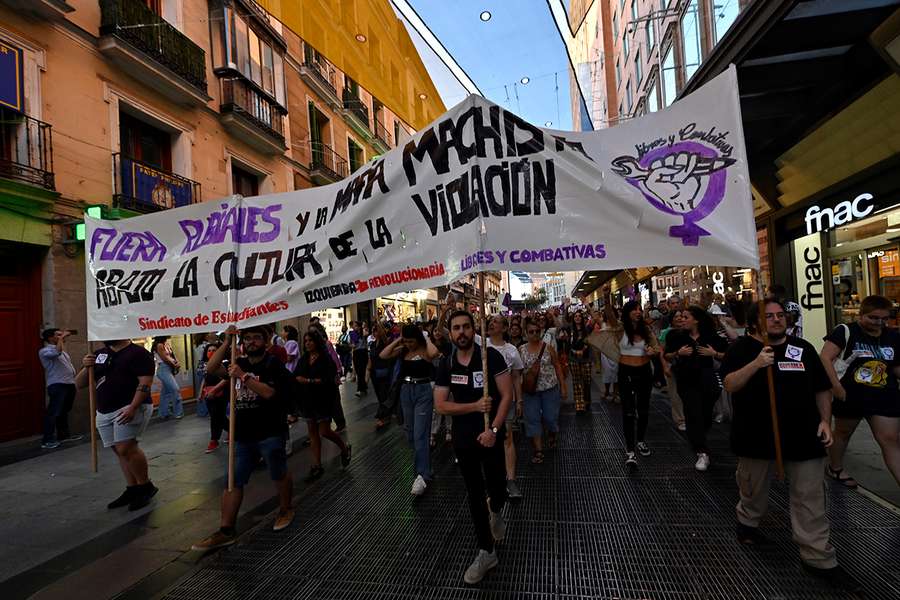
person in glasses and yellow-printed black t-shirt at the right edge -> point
(868, 388)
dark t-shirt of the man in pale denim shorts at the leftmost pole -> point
(116, 375)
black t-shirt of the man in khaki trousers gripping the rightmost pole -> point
(799, 375)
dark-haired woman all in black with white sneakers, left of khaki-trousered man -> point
(692, 351)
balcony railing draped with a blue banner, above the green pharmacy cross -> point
(143, 188)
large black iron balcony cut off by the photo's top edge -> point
(153, 51)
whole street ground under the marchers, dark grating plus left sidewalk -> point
(59, 541)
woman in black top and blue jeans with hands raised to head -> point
(416, 396)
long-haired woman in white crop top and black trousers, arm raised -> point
(635, 346)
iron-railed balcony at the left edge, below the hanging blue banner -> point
(26, 150)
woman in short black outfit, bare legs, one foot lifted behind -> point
(316, 374)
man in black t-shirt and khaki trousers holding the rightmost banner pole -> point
(803, 401)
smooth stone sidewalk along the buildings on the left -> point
(58, 536)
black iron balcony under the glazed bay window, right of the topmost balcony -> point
(252, 115)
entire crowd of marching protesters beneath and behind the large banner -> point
(709, 364)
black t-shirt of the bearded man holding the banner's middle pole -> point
(466, 385)
